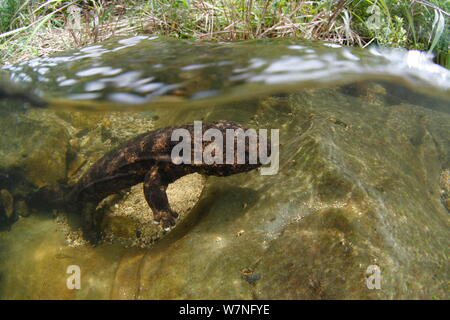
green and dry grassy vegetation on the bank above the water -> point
(32, 27)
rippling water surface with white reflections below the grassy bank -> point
(149, 70)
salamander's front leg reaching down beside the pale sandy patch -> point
(155, 193)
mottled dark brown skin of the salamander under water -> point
(145, 158)
